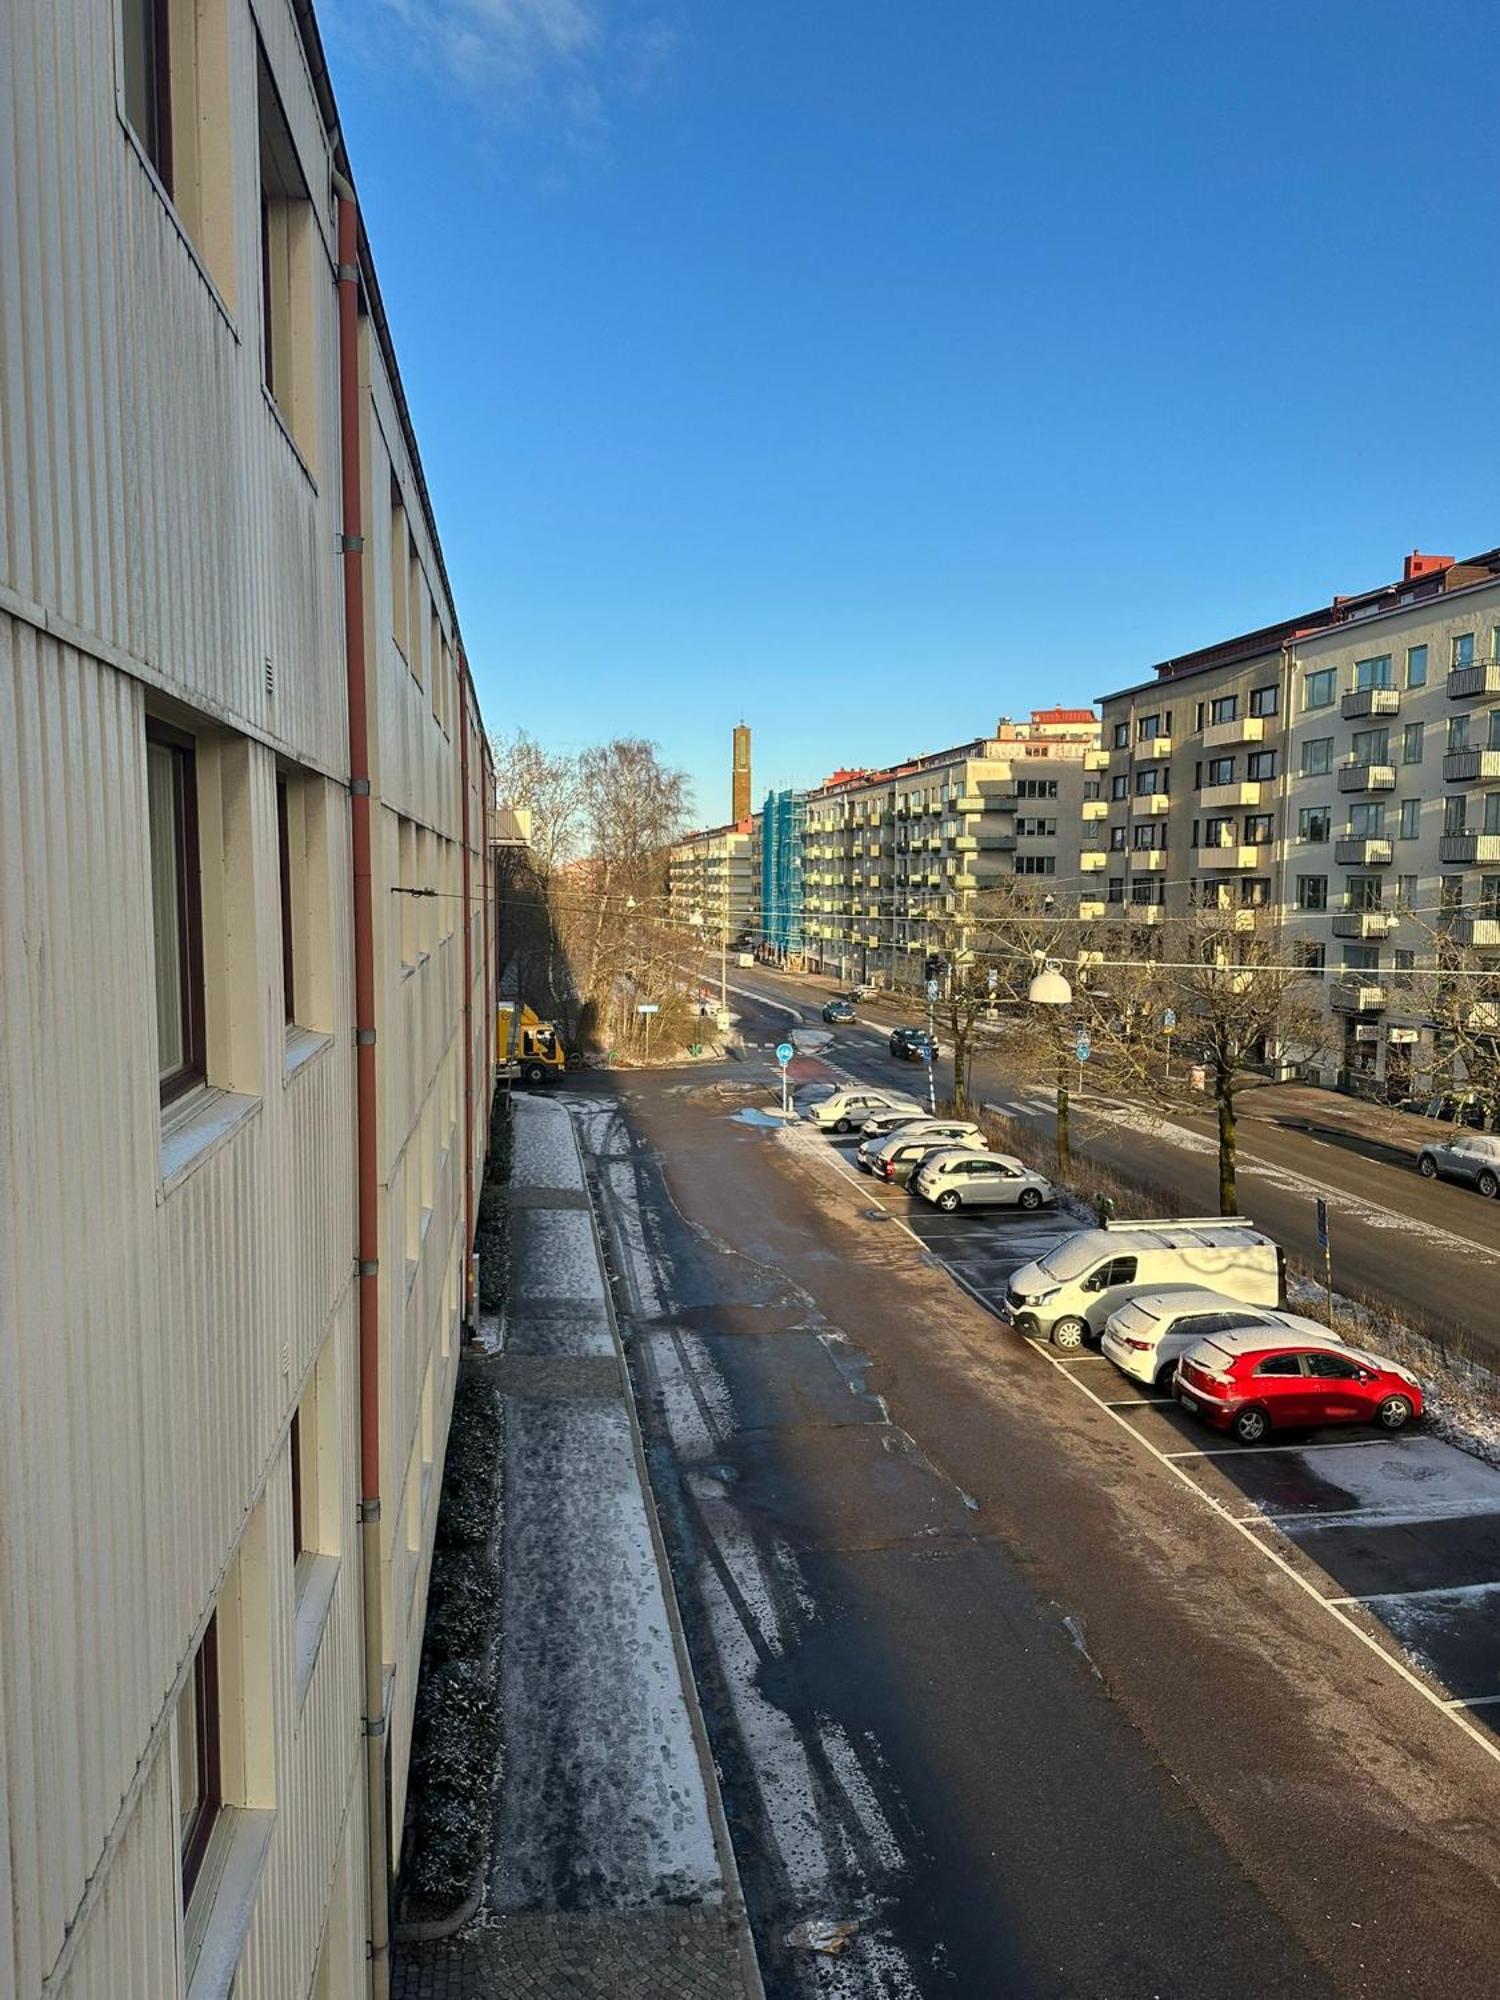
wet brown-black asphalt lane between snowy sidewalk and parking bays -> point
(985, 1671)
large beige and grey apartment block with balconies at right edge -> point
(1337, 777)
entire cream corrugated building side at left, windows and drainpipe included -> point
(245, 957)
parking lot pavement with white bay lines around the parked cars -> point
(1397, 1537)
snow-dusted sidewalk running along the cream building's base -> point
(611, 1869)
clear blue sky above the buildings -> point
(877, 369)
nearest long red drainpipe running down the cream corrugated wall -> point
(365, 1089)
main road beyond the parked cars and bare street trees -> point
(1431, 1249)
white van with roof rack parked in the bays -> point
(1071, 1293)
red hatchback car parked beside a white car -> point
(1251, 1385)
